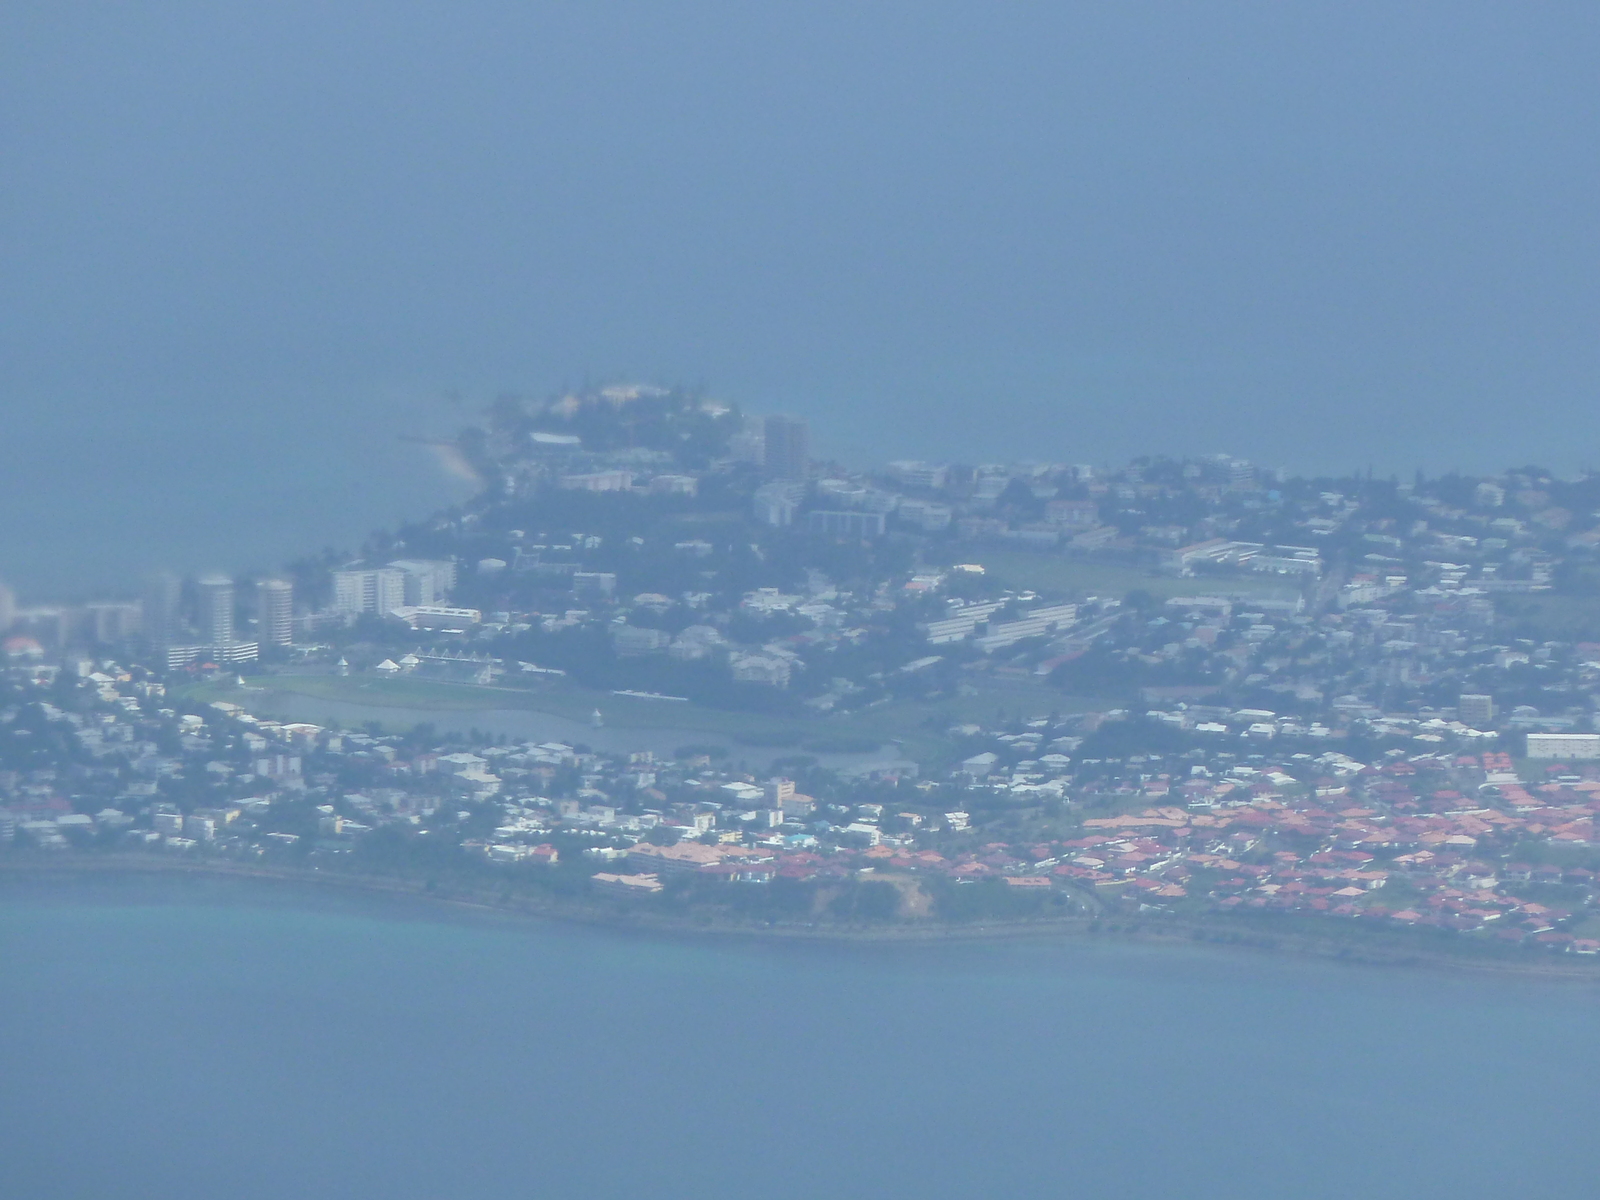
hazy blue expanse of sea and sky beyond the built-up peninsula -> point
(242, 247)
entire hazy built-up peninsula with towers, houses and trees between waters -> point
(790, 695)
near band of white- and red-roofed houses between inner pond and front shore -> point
(1460, 839)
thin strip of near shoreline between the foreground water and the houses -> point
(1377, 948)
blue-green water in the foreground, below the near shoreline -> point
(204, 1039)
